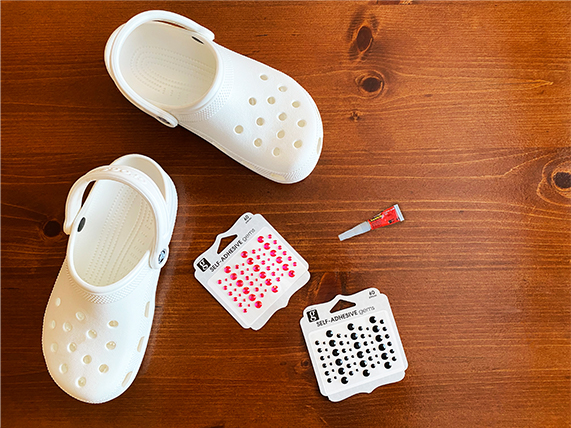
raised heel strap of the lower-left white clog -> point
(140, 182)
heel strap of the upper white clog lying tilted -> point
(113, 54)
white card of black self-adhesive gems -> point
(356, 349)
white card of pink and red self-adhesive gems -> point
(255, 275)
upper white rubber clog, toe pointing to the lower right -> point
(255, 114)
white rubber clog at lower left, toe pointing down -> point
(99, 315)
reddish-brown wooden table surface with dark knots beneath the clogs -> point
(460, 112)
